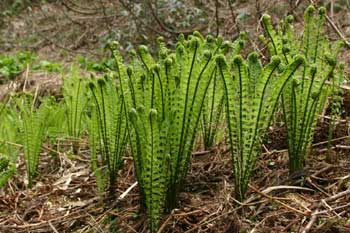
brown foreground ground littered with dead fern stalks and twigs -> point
(65, 196)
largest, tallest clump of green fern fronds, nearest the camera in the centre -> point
(164, 98)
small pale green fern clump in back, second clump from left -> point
(75, 97)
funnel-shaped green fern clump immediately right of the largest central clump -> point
(252, 92)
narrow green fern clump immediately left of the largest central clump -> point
(108, 129)
